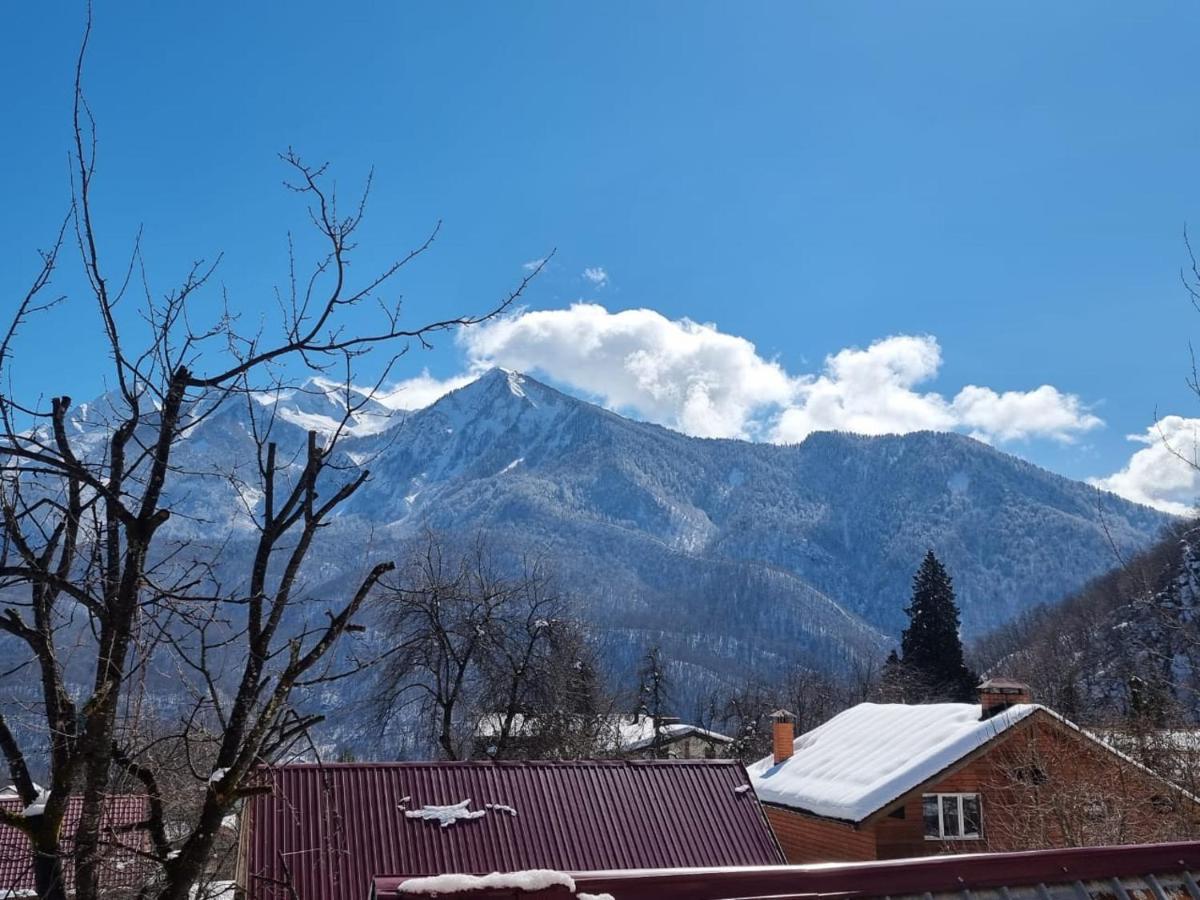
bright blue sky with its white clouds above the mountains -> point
(1009, 181)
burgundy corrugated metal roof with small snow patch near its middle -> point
(332, 829)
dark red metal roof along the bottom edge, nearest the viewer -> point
(1163, 871)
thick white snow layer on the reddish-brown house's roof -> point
(868, 757)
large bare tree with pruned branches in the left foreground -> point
(95, 592)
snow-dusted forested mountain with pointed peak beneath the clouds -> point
(731, 554)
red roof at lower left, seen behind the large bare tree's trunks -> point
(123, 867)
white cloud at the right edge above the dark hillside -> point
(1166, 473)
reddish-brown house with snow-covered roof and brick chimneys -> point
(883, 782)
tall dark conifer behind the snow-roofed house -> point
(931, 646)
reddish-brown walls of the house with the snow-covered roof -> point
(1083, 796)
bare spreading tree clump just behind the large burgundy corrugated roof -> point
(482, 651)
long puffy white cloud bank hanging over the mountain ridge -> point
(701, 381)
